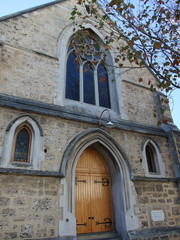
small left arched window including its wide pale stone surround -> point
(23, 143)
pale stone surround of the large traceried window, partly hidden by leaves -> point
(63, 42)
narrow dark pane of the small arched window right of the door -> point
(151, 159)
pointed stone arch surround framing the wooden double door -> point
(122, 187)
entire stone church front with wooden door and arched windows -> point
(48, 123)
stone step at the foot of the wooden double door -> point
(100, 236)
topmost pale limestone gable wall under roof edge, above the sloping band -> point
(38, 30)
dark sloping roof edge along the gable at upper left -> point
(29, 10)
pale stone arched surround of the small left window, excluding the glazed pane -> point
(36, 153)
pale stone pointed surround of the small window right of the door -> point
(158, 158)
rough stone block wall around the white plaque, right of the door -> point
(158, 195)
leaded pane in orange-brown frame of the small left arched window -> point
(22, 145)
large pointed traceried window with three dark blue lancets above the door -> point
(86, 73)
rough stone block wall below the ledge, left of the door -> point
(29, 207)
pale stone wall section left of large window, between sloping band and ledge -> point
(28, 75)
